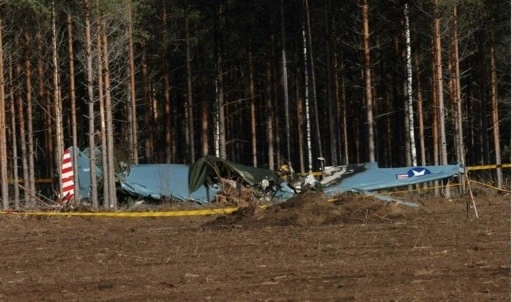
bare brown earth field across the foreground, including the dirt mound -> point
(307, 249)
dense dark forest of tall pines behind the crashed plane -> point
(260, 83)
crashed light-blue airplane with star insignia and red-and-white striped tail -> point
(211, 176)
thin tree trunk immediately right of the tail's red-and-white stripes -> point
(72, 97)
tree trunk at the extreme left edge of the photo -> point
(3, 133)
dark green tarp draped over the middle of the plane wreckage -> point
(209, 168)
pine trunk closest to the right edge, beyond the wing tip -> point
(495, 115)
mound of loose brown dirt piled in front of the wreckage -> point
(314, 208)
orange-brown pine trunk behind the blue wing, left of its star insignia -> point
(368, 81)
